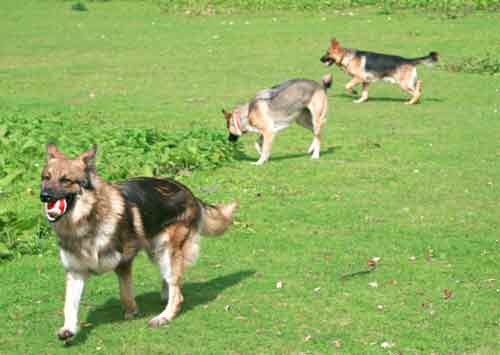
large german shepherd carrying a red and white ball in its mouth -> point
(101, 226)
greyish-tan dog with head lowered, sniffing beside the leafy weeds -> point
(274, 109)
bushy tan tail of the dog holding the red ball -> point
(216, 219)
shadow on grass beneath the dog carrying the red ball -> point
(150, 303)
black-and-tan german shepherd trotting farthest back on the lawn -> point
(366, 67)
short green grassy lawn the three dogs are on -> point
(416, 186)
